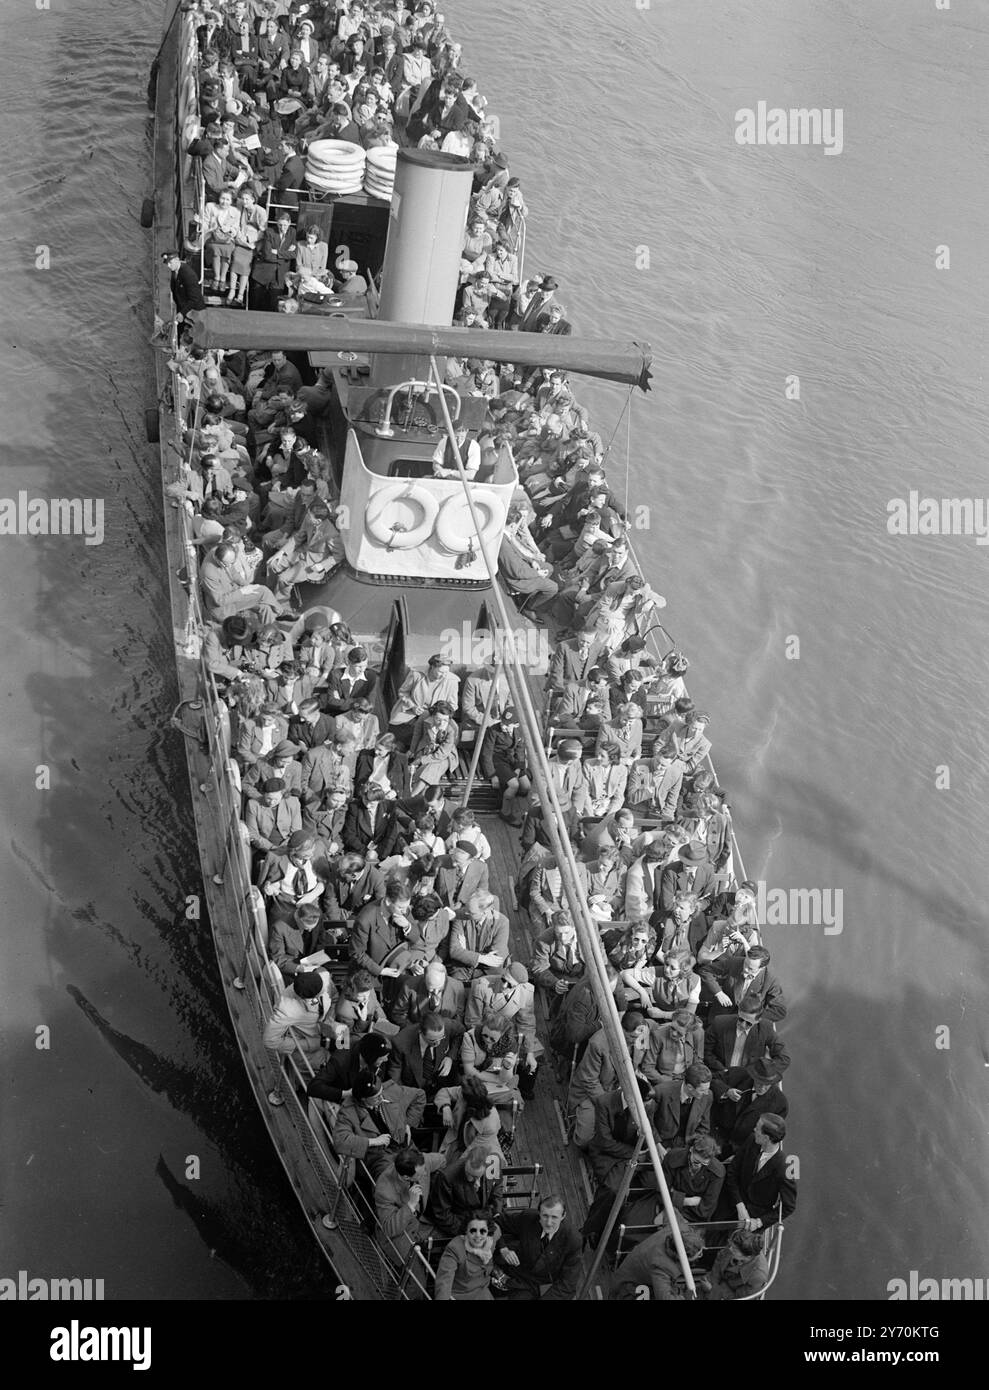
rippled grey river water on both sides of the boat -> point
(844, 668)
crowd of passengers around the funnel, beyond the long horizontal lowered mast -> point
(277, 77)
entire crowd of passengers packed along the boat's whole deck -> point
(399, 979)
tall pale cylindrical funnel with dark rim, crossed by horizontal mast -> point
(426, 241)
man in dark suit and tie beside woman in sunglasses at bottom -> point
(540, 1253)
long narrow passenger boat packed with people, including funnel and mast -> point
(483, 925)
